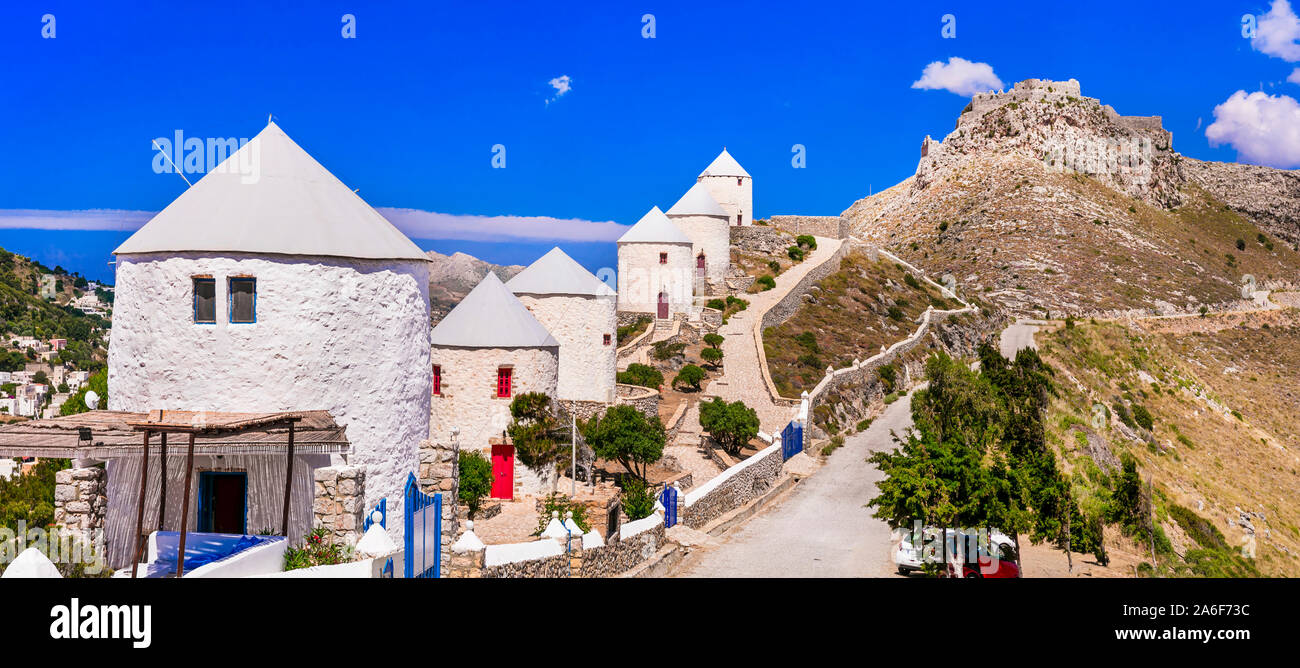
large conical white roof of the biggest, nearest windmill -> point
(284, 203)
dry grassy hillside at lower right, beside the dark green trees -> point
(1207, 407)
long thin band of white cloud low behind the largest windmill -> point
(413, 223)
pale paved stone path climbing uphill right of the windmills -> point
(743, 376)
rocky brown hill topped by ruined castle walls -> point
(1045, 199)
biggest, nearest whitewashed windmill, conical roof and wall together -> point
(284, 293)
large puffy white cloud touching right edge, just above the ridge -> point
(1264, 129)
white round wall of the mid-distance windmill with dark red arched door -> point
(642, 277)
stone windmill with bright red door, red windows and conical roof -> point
(487, 352)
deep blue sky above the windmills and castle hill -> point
(410, 110)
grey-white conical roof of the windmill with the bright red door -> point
(492, 318)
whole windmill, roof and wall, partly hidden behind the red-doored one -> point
(580, 313)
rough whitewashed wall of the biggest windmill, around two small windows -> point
(346, 336)
